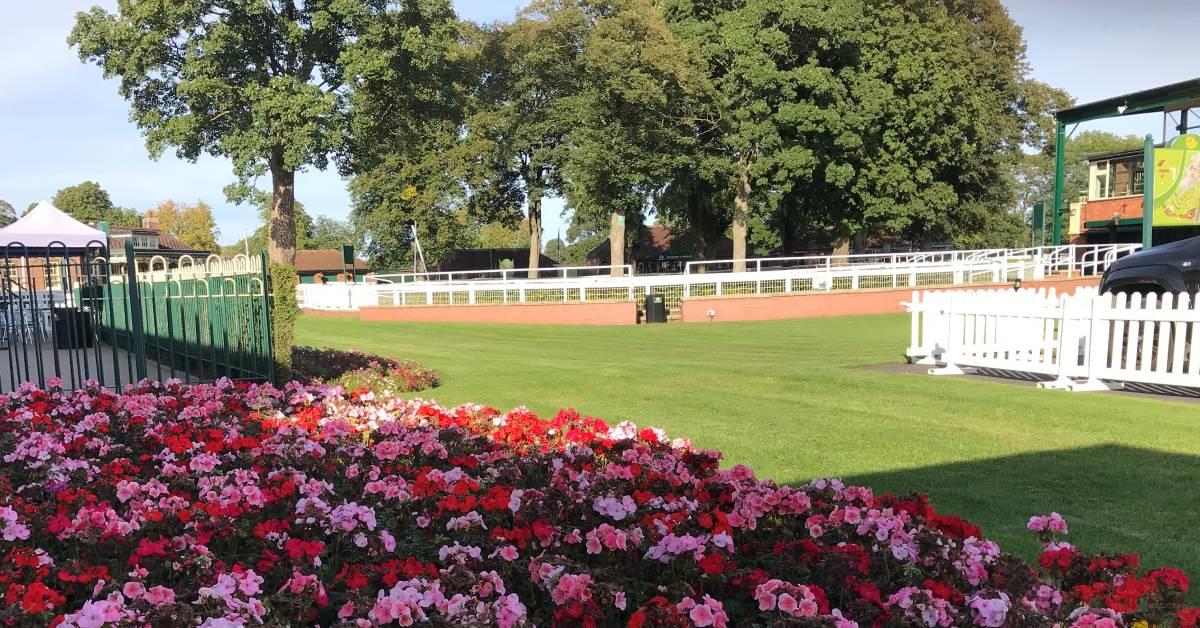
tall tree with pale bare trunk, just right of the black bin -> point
(781, 73)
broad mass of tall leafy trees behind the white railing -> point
(787, 125)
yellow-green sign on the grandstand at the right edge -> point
(1178, 183)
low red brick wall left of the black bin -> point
(567, 314)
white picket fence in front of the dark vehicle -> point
(1082, 342)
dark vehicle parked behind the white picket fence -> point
(1168, 268)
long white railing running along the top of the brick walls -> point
(934, 271)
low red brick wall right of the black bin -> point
(823, 304)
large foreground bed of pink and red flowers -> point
(238, 505)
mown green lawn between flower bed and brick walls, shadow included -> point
(794, 400)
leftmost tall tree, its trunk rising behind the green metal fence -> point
(265, 83)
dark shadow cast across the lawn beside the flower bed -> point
(1115, 499)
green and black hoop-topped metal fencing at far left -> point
(75, 316)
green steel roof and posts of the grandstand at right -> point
(1162, 99)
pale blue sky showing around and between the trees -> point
(62, 124)
